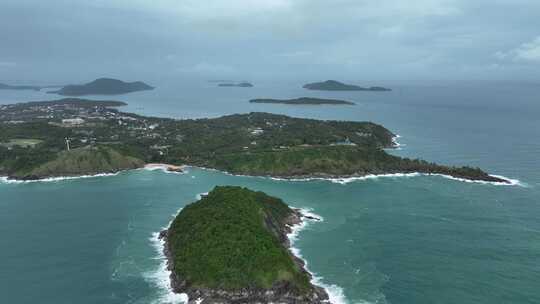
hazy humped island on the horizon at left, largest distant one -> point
(103, 86)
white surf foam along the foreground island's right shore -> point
(335, 293)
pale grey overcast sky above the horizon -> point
(77, 40)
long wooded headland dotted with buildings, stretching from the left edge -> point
(88, 137)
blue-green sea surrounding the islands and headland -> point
(400, 240)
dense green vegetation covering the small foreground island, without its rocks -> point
(231, 240)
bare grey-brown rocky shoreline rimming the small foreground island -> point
(279, 293)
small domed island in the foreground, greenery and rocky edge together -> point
(231, 246)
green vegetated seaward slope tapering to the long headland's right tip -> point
(334, 161)
